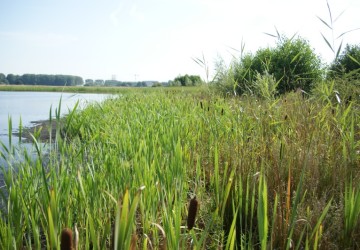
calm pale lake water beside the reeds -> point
(35, 106)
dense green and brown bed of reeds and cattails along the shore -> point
(188, 169)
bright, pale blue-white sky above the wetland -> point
(145, 40)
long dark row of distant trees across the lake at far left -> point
(41, 79)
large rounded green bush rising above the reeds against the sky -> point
(292, 63)
